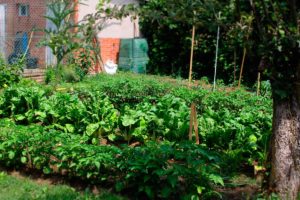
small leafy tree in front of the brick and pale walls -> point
(67, 36)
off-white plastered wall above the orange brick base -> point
(113, 28)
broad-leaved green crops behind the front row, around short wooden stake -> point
(136, 110)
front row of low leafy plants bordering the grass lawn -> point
(156, 170)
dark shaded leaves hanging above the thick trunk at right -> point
(278, 44)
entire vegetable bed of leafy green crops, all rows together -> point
(130, 133)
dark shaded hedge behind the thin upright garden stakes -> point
(167, 26)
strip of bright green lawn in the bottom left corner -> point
(22, 188)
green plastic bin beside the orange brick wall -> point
(133, 55)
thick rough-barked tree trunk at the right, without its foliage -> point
(285, 152)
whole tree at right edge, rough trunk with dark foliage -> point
(276, 39)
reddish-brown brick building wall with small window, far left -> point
(16, 23)
